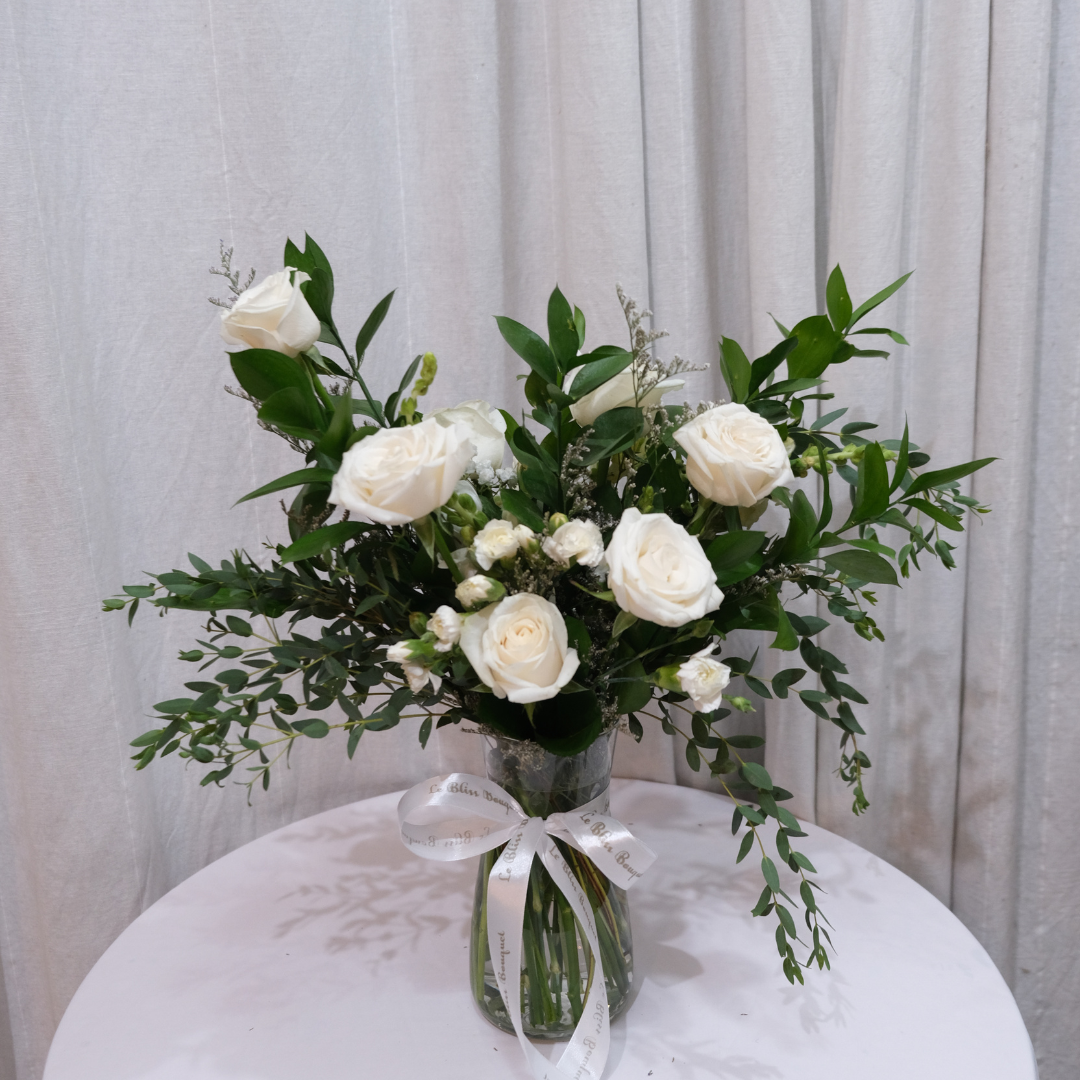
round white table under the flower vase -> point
(327, 951)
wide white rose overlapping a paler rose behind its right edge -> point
(400, 475)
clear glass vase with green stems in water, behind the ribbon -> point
(557, 961)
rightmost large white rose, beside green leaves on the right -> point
(735, 457)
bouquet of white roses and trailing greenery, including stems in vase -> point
(552, 576)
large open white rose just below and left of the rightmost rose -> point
(658, 572)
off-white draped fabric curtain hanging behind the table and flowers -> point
(717, 159)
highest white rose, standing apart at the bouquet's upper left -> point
(274, 315)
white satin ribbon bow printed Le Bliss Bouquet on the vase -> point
(458, 816)
